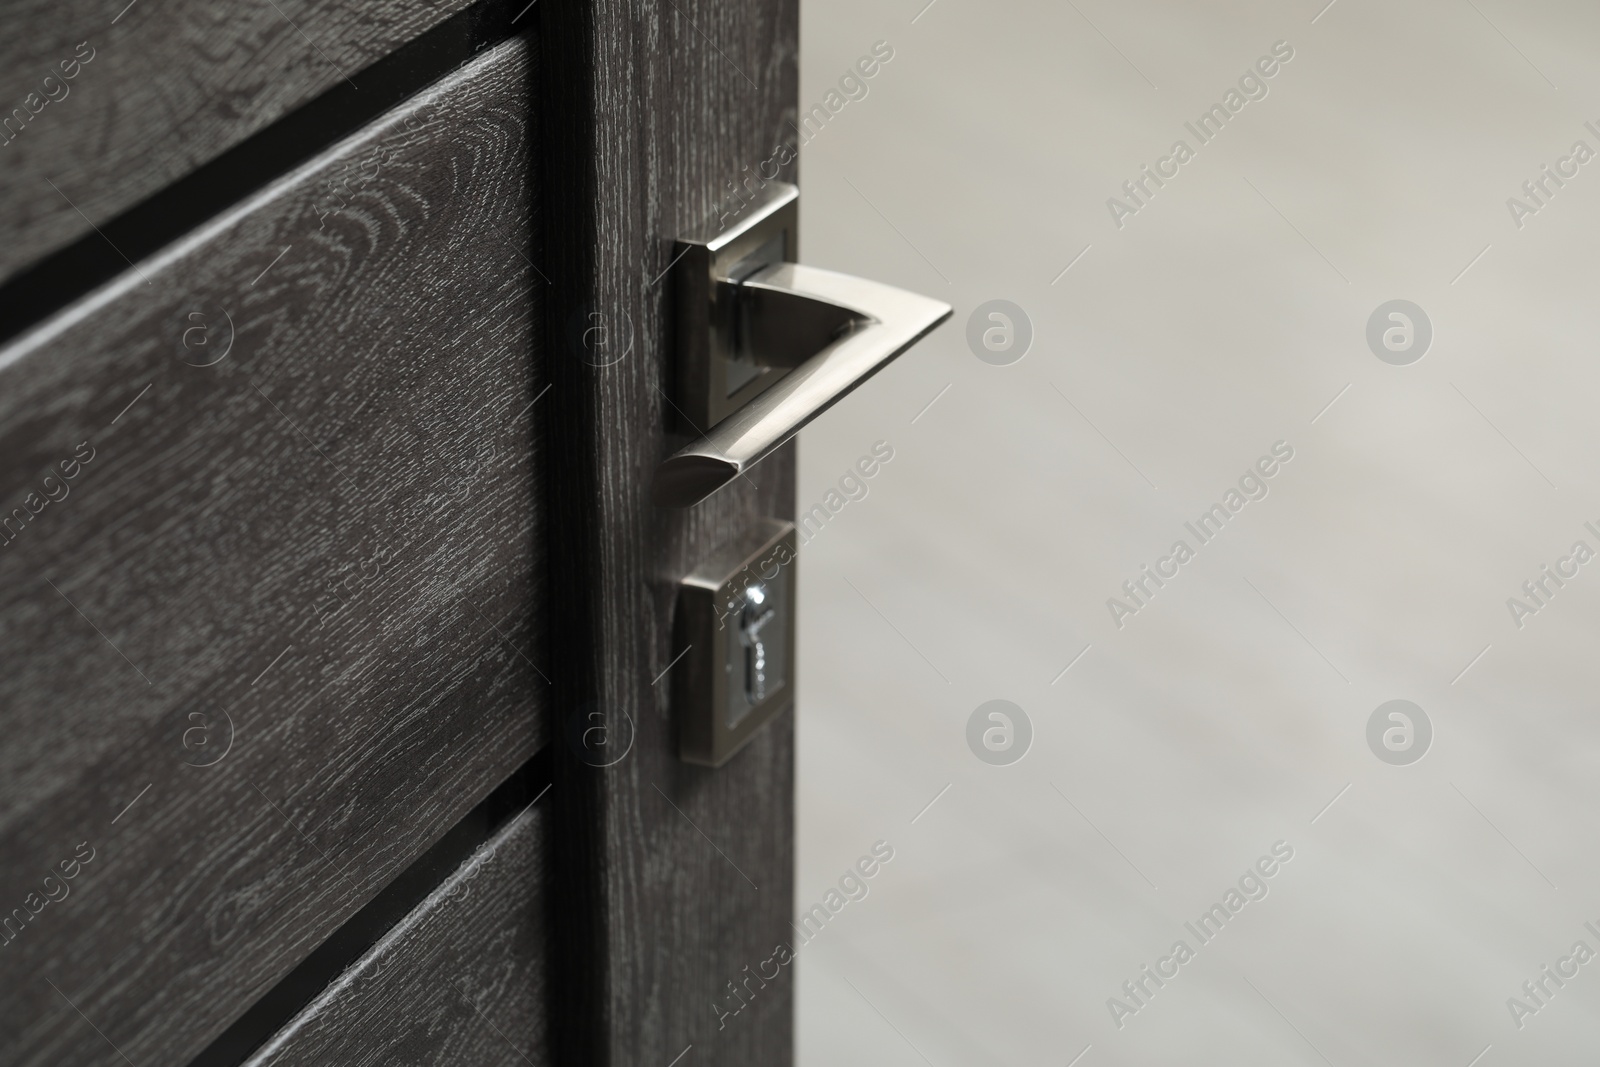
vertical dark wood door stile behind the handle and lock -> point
(649, 111)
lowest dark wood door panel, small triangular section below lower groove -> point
(460, 981)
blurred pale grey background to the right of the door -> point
(1231, 713)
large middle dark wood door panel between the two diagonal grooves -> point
(329, 538)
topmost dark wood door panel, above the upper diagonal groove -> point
(166, 87)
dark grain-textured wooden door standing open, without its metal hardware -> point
(332, 359)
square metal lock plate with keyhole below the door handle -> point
(737, 615)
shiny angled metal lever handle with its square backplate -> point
(791, 343)
